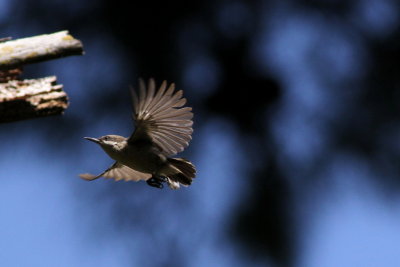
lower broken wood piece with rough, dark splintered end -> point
(34, 98)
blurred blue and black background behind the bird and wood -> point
(296, 141)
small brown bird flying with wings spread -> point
(163, 128)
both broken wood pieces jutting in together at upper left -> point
(25, 99)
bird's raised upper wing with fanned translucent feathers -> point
(161, 118)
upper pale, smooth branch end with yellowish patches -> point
(38, 48)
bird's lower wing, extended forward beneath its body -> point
(118, 172)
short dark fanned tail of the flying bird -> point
(187, 171)
